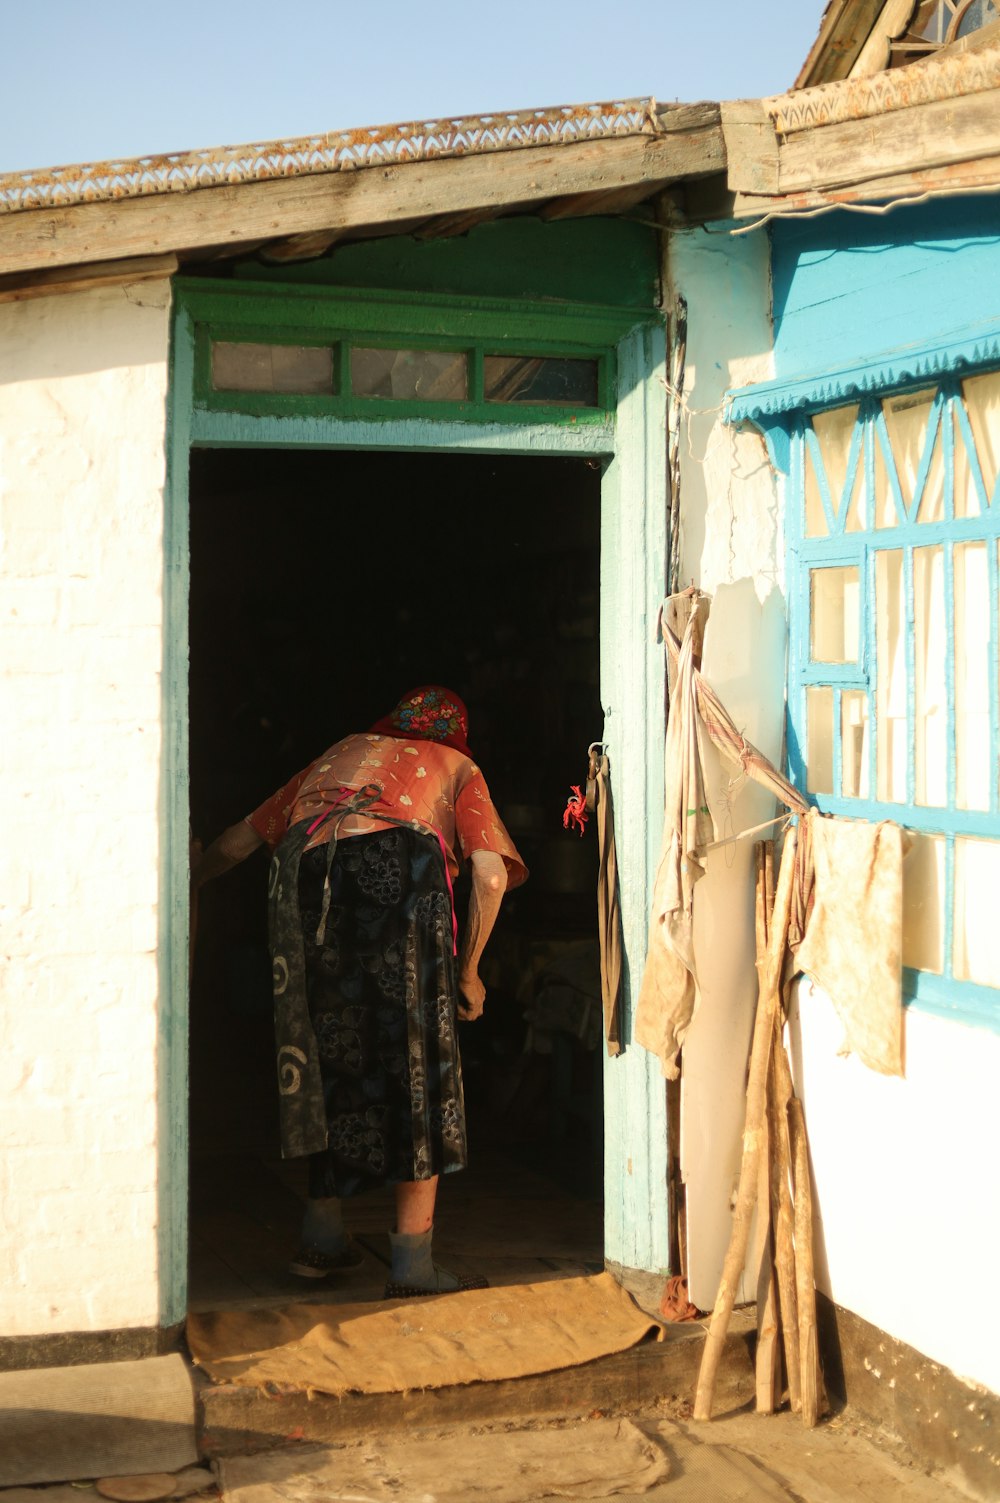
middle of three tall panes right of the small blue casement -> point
(930, 629)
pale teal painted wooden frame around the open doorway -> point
(632, 444)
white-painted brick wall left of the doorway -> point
(83, 387)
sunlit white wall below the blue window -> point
(909, 1212)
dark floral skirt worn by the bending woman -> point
(383, 1003)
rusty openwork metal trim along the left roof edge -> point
(330, 153)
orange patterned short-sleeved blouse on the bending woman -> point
(431, 785)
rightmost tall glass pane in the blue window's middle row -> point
(972, 676)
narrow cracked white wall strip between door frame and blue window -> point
(730, 546)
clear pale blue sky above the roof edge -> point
(88, 80)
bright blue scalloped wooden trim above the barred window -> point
(771, 402)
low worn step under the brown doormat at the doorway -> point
(235, 1420)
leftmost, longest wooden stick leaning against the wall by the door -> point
(756, 1101)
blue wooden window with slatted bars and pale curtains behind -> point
(894, 698)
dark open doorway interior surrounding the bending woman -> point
(324, 584)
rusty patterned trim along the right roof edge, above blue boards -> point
(898, 89)
